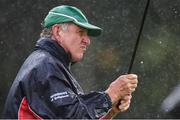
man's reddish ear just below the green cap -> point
(56, 30)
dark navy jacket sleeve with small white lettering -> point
(50, 96)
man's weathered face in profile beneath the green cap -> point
(75, 41)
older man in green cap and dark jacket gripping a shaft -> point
(45, 87)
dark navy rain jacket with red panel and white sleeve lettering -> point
(45, 88)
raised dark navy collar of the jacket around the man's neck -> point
(54, 49)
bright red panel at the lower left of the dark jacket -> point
(25, 112)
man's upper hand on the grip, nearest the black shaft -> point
(121, 87)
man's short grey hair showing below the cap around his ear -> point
(47, 32)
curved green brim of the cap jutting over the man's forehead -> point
(92, 29)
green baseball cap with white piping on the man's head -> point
(65, 13)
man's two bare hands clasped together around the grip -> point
(120, 91)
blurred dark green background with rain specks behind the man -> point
(156, 63)
